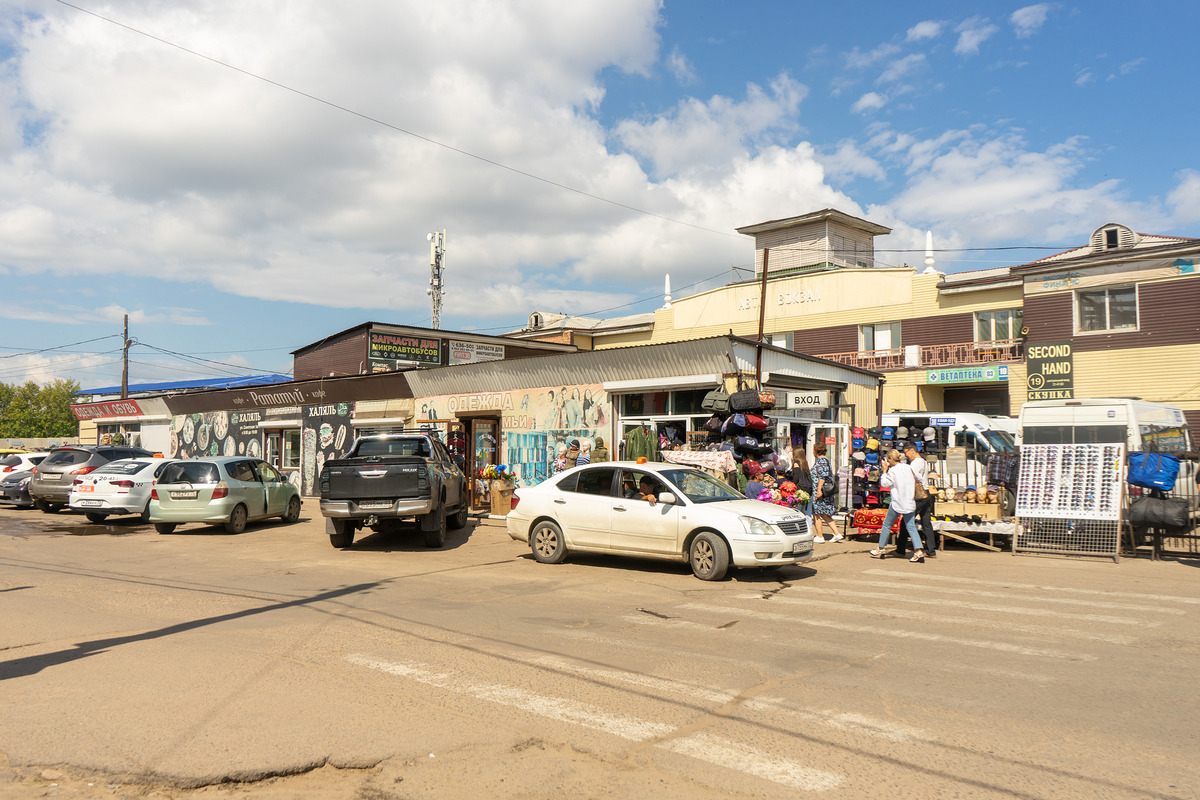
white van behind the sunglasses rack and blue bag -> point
(1142, 426)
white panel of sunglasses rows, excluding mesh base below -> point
(1071, 482)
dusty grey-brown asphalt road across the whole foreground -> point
(140, 665)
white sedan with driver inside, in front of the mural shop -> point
(693, 518)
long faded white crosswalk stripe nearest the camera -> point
(701, 747)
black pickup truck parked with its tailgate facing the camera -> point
(387, 479)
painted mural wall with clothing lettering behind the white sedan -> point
(535, 422)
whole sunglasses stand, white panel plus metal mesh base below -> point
(1070, 501)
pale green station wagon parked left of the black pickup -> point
(230, 491)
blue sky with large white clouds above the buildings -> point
(244, 179)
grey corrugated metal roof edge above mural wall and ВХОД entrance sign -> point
(715, 356)
